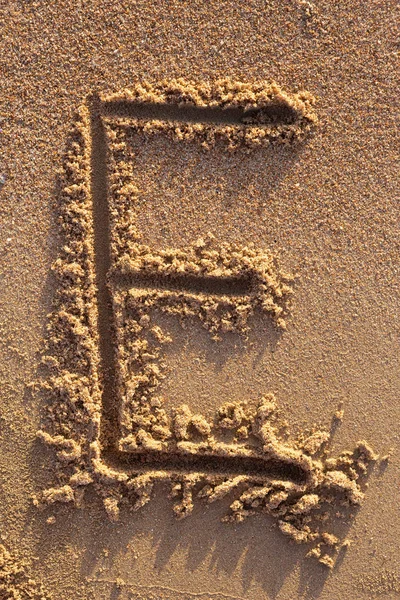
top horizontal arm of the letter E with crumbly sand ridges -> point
(265, 113)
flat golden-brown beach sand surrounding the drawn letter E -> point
(327, 207)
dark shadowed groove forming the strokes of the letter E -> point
(148, 460)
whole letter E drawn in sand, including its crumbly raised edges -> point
(104, 416)
